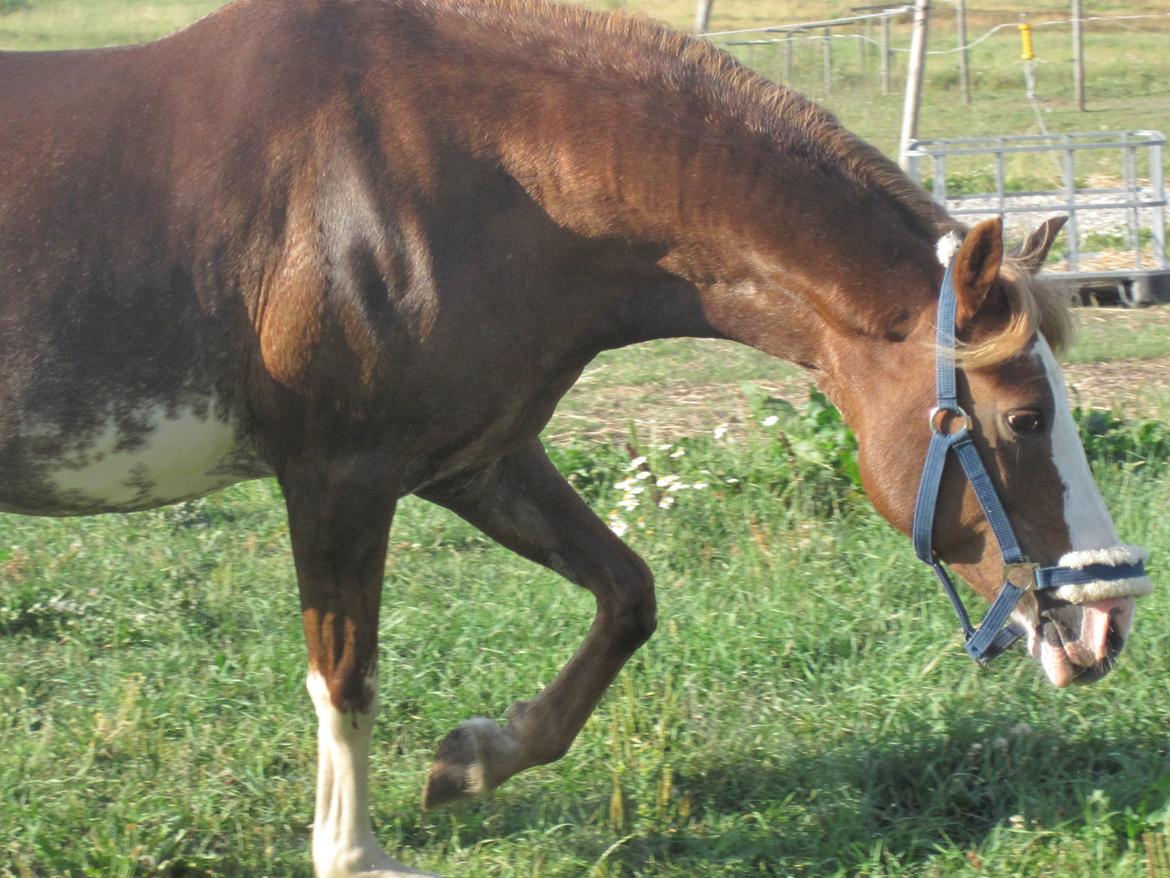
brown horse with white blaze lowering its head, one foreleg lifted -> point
(366, 246)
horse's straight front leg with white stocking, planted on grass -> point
(340, 519)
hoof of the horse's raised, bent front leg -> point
(476, 758)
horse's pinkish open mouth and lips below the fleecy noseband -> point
(1080, 643)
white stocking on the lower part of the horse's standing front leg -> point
(343, 843)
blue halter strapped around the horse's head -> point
(997, 633)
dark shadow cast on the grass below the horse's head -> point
(825, 811)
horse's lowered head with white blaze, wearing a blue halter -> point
(1013, 410)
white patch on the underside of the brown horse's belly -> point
(163, 456)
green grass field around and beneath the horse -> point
(806, 708)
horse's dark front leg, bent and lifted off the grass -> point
(525, 504)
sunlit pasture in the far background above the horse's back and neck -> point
(1127, 60)
